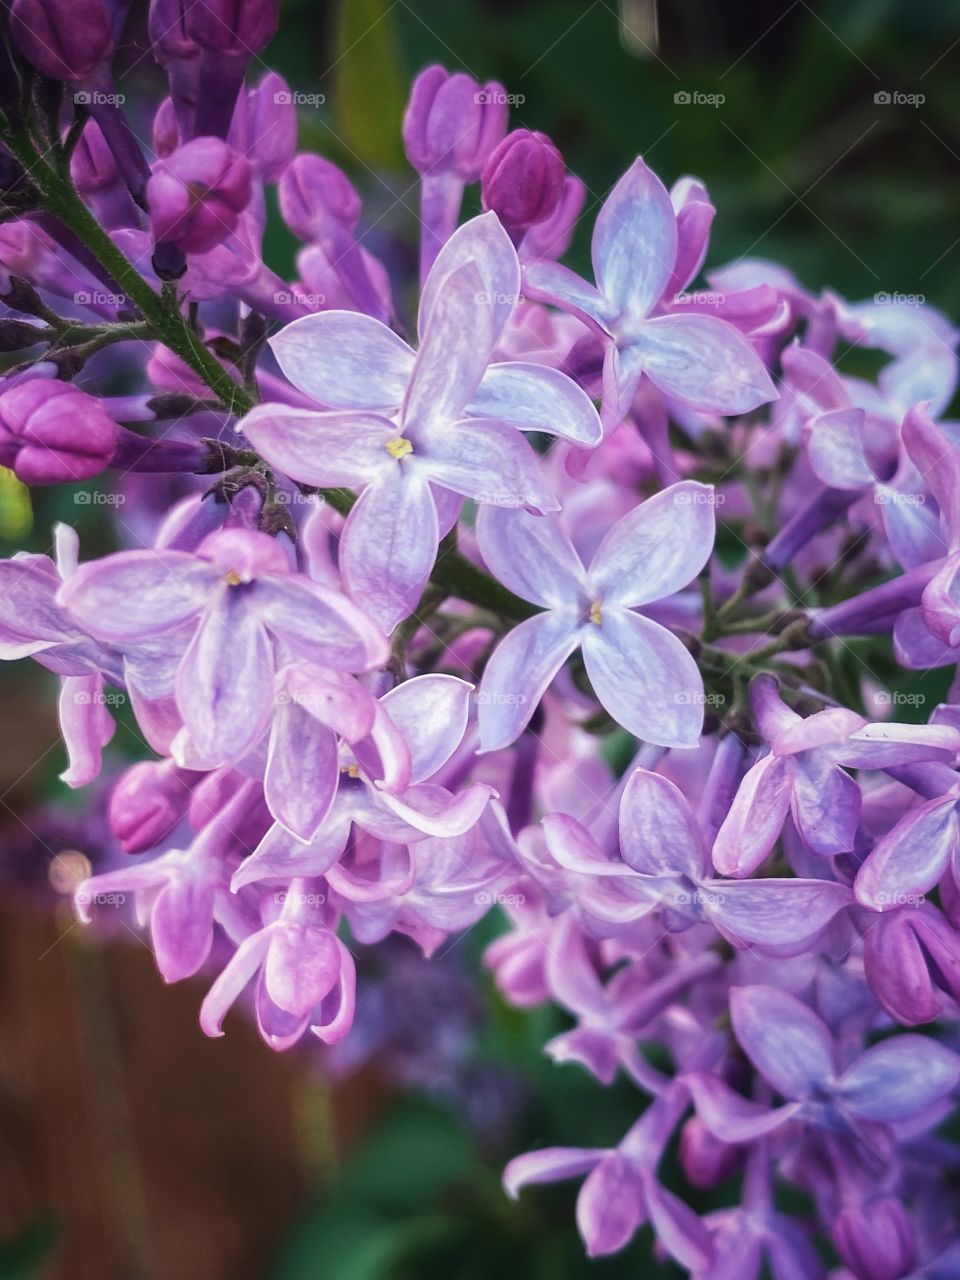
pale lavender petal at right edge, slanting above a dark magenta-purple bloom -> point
(912, 857)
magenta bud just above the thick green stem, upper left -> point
(198, 194)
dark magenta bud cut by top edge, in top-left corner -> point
(66, 39)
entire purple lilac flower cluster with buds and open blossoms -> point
(437, 623)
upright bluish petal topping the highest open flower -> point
(636, 243)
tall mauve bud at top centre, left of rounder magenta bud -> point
(452, 125)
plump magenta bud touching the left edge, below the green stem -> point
(53, 433)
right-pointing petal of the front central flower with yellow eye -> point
(490, 463)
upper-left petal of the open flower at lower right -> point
(788, 1044)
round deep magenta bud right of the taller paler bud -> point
(523, 180)
